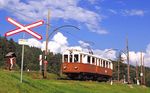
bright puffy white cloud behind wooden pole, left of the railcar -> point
(57, 45)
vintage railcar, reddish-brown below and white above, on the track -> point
(84, 66)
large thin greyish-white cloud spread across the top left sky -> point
(62, 9)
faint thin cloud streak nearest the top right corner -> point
(133, 12)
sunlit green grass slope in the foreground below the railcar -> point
(10, 83)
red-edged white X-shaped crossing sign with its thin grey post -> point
(22, 28)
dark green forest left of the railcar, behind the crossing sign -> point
(31, 56)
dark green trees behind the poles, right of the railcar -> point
(123, 73)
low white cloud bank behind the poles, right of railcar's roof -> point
(133, 56)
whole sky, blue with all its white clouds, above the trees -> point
(106, 23)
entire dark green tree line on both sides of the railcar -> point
(31, 61)
